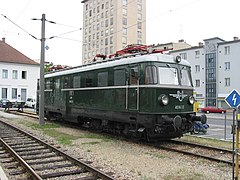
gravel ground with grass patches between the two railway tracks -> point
(126, 160)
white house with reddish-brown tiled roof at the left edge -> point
(18, 74)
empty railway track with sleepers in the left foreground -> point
(27, 157)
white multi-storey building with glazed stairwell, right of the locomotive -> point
(214, 69)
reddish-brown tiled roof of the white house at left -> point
(10, 55)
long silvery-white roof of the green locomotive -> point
(158, 57)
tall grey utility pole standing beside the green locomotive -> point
(42, 84)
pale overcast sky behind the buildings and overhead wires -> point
(167, 21)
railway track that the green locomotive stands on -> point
(192, 149)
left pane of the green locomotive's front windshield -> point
(168, 75)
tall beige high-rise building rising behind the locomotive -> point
(111, 25)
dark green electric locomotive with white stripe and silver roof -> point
(146, 96)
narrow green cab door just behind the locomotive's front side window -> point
(133, 89)
